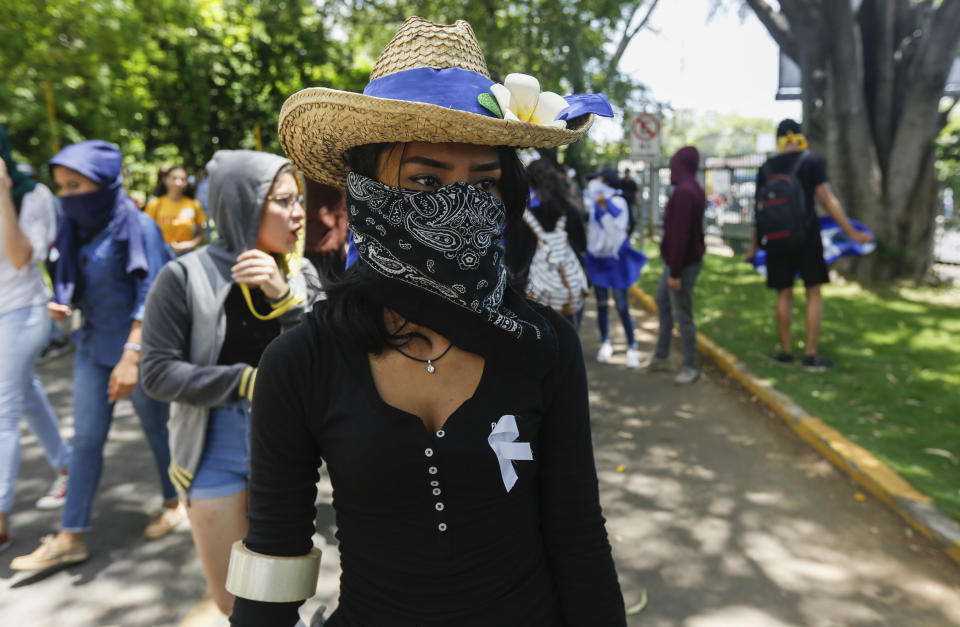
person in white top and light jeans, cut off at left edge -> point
(28, 222)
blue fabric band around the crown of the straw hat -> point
(450, 88)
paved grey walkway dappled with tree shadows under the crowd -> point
(718, 515)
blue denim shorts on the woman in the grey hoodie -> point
(225, 463)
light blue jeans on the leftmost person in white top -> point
(23, 335)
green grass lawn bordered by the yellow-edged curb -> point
(896, 388)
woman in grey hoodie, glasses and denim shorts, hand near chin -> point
(210, 315)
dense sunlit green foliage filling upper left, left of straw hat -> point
(167, 80)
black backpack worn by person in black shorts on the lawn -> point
(781, 212)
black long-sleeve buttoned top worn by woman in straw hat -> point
(428, 533)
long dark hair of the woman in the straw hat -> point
(349, 310)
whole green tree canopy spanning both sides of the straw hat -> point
(173, 80)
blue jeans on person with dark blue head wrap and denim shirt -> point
(92, 417)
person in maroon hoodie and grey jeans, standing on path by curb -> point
(682, 249)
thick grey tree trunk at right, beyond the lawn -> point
(871, 87)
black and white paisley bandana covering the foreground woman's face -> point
(445, 242)
